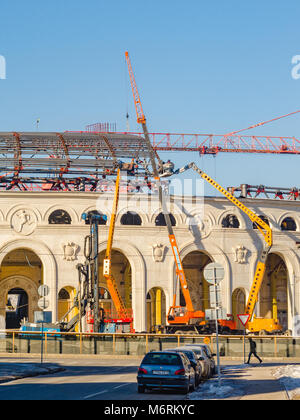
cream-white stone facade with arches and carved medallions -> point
(147, 247)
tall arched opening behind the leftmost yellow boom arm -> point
(121, 271)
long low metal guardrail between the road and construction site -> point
(15, 342)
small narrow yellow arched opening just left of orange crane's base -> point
(156, 308)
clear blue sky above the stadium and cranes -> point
(201, 67)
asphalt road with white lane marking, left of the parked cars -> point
(84, 379)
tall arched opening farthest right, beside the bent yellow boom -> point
(273, 296)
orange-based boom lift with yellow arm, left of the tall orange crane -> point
(124, 315)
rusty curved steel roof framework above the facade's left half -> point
(68, 161)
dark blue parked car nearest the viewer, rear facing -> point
(165, 370)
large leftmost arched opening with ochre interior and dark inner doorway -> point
(20, 276)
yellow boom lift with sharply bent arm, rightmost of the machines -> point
(254, 324)
